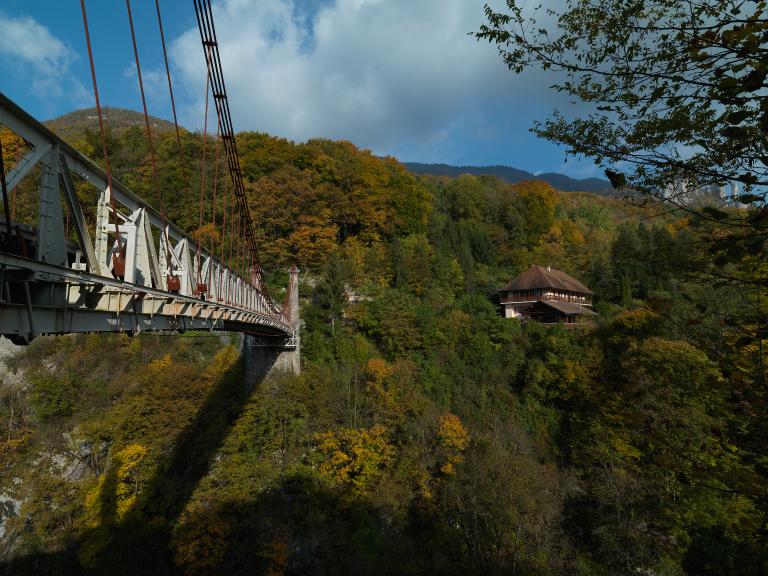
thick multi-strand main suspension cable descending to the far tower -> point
(209, 41)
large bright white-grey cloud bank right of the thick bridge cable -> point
(386, 74)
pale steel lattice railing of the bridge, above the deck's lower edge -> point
(135, 248)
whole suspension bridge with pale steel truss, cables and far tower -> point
(122, 265)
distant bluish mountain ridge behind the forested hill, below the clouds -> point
(512, 175)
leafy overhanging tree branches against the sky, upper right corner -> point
(679, 87)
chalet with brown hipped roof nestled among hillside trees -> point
(547, 296)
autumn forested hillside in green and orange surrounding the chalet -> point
(426, 434)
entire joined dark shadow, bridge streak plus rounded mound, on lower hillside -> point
(296, 527)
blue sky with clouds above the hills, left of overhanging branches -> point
(399, 77)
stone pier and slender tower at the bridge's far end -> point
(265, 355)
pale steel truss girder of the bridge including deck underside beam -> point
(87, 291)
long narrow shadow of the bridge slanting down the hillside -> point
(139, 543)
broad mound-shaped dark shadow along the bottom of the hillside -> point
(297, 527)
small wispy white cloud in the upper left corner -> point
(33, 50)
